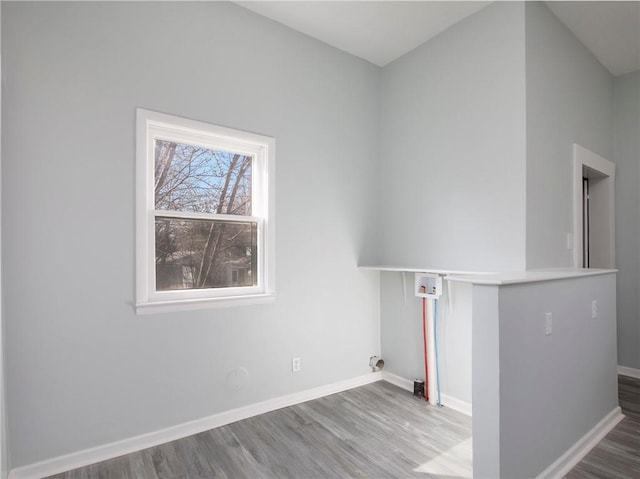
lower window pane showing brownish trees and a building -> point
(195, 254)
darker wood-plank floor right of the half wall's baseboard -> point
(617, 456)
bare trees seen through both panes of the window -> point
(196, 253)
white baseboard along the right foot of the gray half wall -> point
(576, 453)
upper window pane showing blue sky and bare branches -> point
(197, 179)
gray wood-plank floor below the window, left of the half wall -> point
(374, 431)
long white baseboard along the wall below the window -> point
(85, 457)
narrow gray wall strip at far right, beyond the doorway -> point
(626, 154)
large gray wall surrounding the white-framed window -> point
(83, 369)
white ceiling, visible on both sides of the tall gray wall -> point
(381, 31)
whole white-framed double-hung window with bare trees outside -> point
(204, 215)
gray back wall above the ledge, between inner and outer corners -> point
(452, 161)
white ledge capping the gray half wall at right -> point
(530, 276)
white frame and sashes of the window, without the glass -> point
(150, 126)
